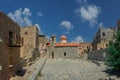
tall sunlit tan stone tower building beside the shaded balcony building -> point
(30, 48)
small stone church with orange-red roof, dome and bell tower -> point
(63, 49)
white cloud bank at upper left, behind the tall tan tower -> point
(22, 17)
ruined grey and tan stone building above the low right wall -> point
(102, 38)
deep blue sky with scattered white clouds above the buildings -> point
(77, 19)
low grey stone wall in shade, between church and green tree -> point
(99, 55)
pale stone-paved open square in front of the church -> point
(66, 69)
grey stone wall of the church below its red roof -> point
(64, 52)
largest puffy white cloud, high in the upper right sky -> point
(88, 13)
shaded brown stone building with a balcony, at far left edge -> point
(10, 43)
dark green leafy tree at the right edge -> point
(114, 53)
